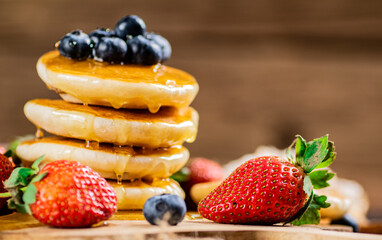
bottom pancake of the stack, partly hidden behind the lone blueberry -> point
(133, 195)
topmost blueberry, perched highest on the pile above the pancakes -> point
(130, 25)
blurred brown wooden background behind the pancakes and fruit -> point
(267, 70)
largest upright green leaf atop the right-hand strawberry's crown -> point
(315, 153)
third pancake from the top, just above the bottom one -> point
(108, 160)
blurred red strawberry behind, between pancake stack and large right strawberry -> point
(204, 170)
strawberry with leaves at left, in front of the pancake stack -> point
(63, 194)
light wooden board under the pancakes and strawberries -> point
(131, 225)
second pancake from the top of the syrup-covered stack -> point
(169, 126)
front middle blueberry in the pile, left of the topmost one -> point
(110, 49)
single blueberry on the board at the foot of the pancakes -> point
(170, 208)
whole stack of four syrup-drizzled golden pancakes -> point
(127, 122)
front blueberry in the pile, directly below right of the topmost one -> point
(143, 51)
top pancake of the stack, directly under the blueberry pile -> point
(119, 86)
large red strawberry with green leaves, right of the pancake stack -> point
(268, 190)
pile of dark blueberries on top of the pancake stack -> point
(127, 43)
